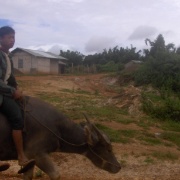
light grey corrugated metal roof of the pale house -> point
(42, 54)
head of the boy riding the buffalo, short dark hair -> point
(7, 37)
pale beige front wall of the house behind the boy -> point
(31, 64)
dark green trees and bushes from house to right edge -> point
(160, 69)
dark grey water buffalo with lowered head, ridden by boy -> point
(48, 130)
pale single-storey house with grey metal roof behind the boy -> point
(37, 62)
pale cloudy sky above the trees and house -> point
(90, 26)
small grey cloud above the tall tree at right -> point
(142, 32)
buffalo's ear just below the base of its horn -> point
(91, 137)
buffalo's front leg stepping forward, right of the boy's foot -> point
(44, 162)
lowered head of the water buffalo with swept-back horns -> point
(100, 149)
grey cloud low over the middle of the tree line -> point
(97, 44)
